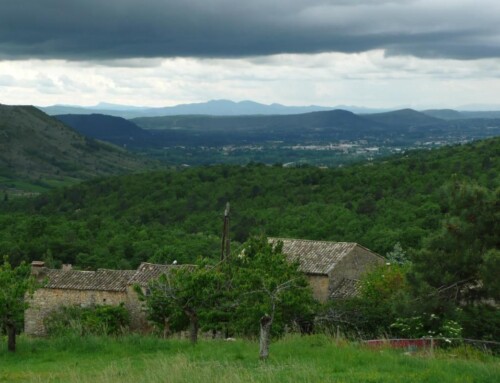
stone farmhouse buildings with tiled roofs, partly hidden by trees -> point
(332, 268)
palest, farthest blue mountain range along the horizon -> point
(231, 108)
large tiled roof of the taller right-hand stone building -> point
(315, 257)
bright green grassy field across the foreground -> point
(294, 359)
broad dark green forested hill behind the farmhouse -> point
(162, 216)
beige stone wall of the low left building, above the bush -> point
(44, 301)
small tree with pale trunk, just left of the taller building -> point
(268, 292)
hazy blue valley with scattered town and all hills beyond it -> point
(220, 132)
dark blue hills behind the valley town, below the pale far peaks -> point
(402, 127)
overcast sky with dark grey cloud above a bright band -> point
(374, 53)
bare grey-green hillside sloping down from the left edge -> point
(40, 149)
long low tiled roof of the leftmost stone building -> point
(100, 280)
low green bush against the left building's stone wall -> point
(96, 320)
